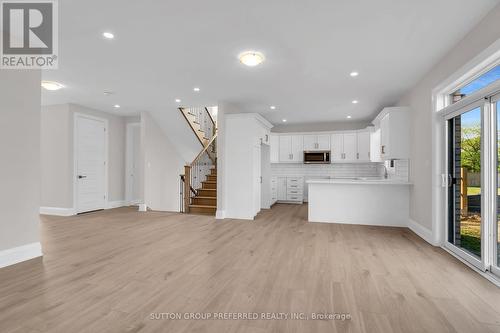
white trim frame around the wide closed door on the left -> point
(76, 116)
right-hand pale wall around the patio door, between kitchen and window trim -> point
(420, 101)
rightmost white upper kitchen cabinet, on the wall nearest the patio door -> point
(394, 126)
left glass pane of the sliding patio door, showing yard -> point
(464, 229)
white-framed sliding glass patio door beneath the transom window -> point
(473, 183)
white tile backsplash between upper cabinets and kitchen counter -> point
(341, 170)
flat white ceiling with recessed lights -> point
(163, 49)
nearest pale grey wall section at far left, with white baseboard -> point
(20, 167)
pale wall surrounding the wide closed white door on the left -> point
(56, 140)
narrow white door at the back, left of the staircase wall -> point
(133, 162)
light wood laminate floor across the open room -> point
(108, 271)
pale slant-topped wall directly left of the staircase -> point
(161, 167)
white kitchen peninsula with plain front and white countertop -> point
(381, 202)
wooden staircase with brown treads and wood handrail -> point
(199, 182)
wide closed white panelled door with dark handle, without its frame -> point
(90, 164)
